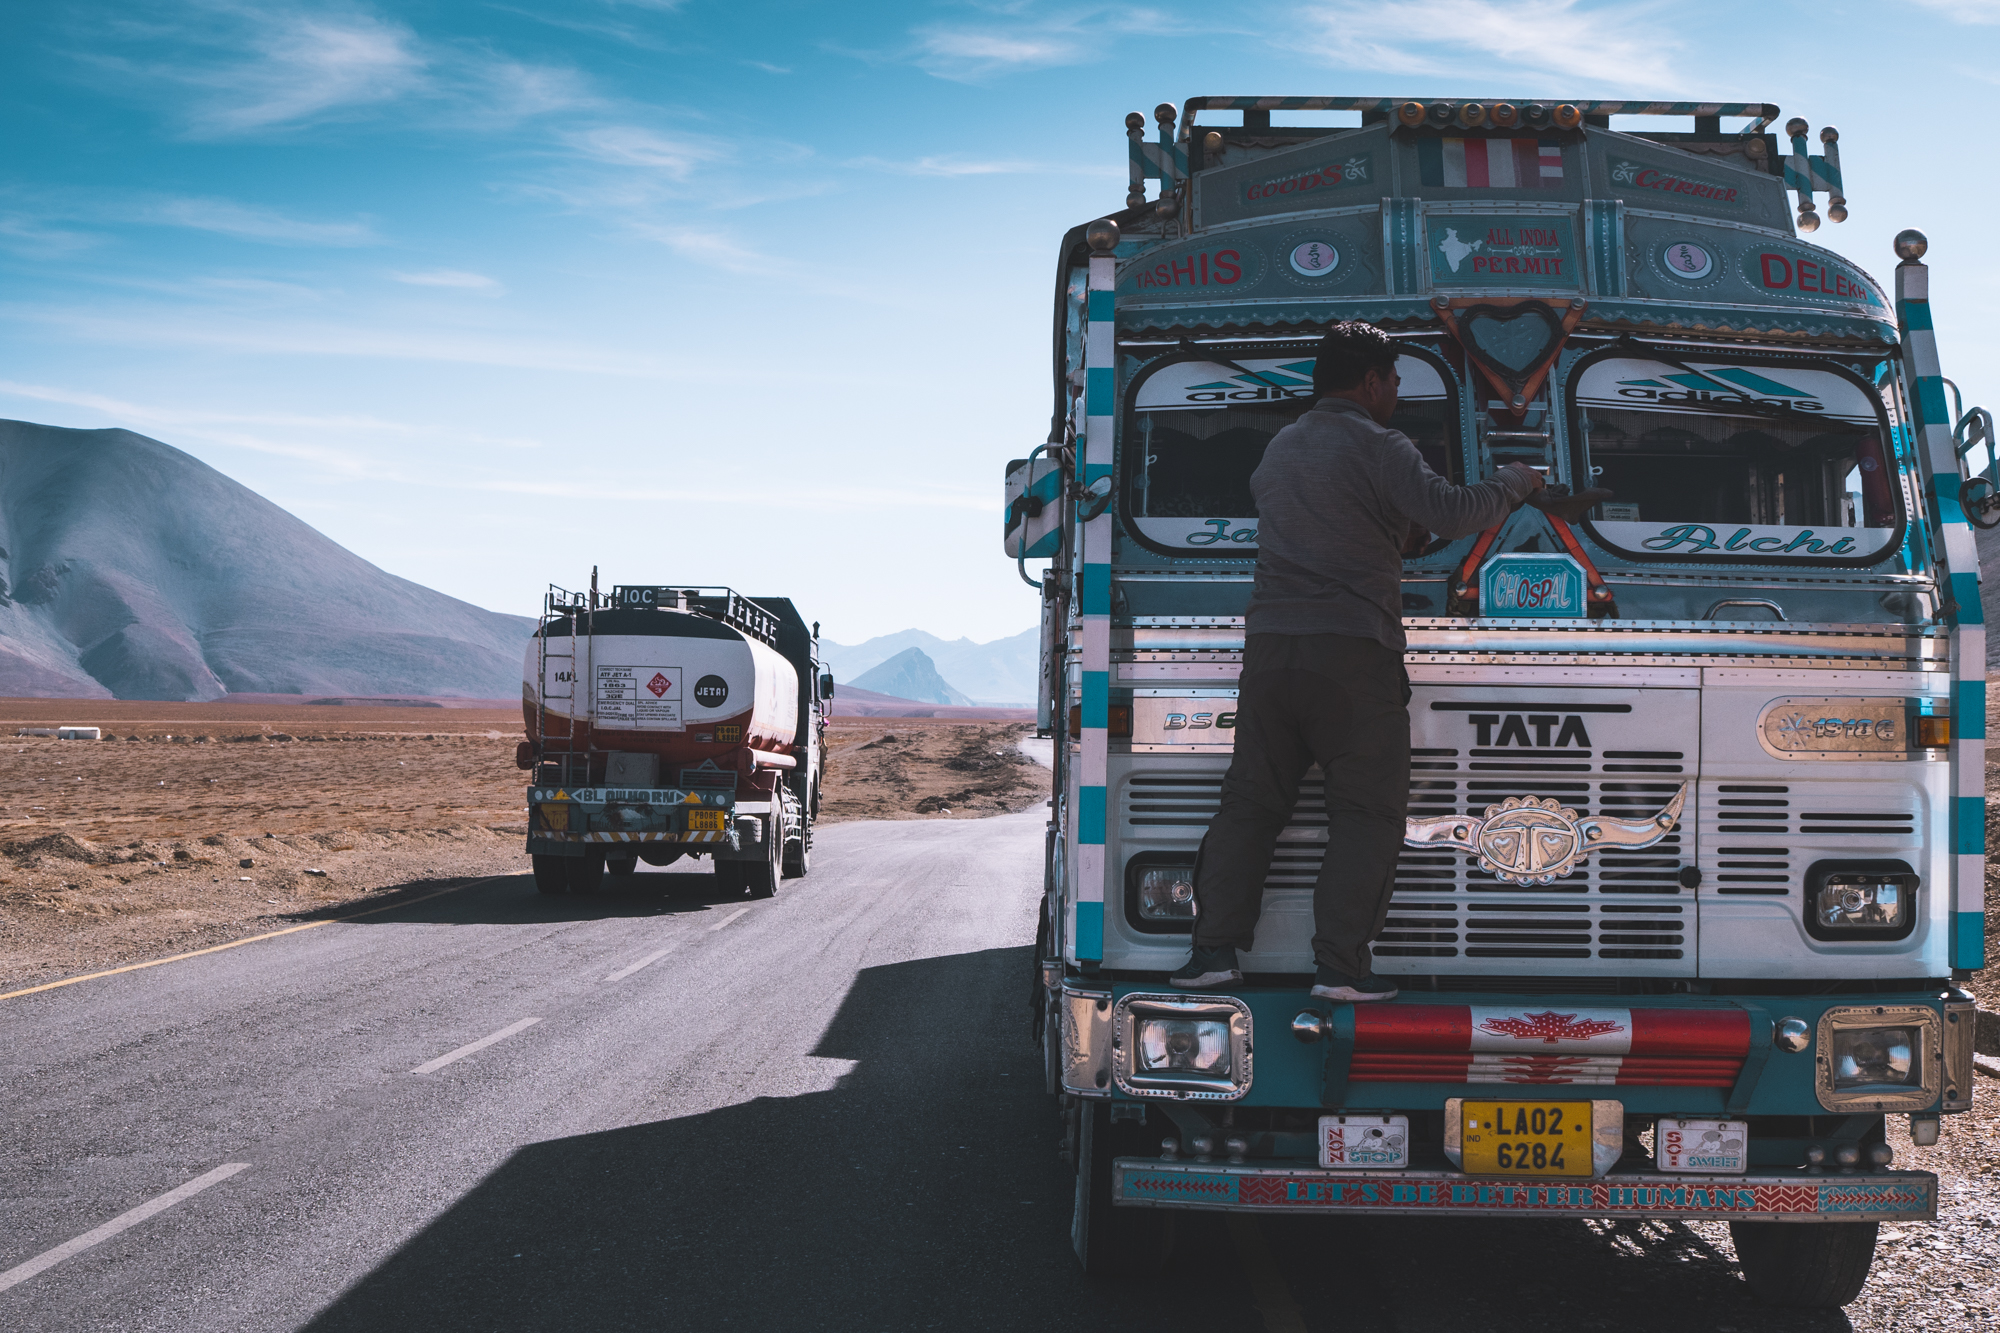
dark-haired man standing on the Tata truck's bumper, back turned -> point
(1323, 680)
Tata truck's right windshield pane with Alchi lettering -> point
(1727, 457)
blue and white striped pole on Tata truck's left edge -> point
(1095, 609)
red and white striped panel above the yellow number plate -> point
(1569, 1046)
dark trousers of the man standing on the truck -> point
(1343, 704)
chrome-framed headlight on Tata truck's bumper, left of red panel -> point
(1183, 1048)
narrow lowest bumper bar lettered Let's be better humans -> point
(1769, 1196)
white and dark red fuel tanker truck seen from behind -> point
(671, 724)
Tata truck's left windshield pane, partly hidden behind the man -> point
(1199, 431)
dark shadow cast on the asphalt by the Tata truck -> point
(925, 1192)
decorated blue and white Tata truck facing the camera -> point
(1695, 854)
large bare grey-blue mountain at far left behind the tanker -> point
(135, 571)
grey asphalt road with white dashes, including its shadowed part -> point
(819, 1112)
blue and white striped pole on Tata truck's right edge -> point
(1961, 577)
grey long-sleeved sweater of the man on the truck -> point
(1335, 497)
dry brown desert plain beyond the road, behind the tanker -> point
(195, 826)
